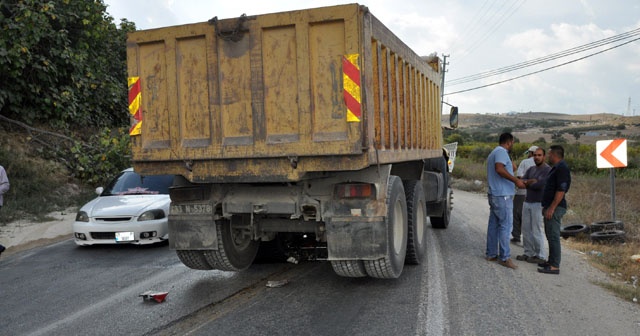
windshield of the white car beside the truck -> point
(130, 183)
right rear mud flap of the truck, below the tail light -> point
(348, 239)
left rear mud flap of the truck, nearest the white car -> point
(186, 234)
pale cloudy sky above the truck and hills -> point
(477, 37)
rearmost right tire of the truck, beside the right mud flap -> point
(390, 267)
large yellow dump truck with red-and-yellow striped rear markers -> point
(309, 134)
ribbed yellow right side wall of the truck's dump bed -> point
(406, 100)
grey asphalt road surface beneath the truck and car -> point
(62, 289)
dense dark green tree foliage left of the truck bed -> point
(62, 62)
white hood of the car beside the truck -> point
(126, 205)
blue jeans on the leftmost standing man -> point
(500, 226)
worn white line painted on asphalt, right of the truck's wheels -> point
(433, 310)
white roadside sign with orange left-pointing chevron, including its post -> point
(612, 154)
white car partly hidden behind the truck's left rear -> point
(132, 209)
